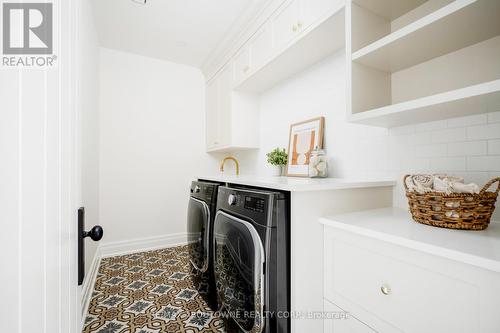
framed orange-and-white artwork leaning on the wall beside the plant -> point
(304, 137)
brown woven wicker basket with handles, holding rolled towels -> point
(467, 211)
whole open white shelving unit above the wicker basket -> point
(414, 61)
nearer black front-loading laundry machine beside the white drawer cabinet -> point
(252, 258)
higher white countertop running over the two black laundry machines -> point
(300, 184)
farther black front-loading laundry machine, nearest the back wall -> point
(200, 219)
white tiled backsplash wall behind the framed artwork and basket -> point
(469, 147)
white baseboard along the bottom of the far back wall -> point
(112, 249)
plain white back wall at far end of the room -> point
(152, 144)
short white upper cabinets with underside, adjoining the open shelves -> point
(298, 34)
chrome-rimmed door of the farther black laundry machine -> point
(198, 233)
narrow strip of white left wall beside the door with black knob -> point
(89, 96)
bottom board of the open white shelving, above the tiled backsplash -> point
(480, 98)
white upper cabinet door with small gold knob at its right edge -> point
(284, 23)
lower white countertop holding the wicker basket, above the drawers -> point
(395, 225)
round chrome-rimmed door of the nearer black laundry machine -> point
(239, 262)
